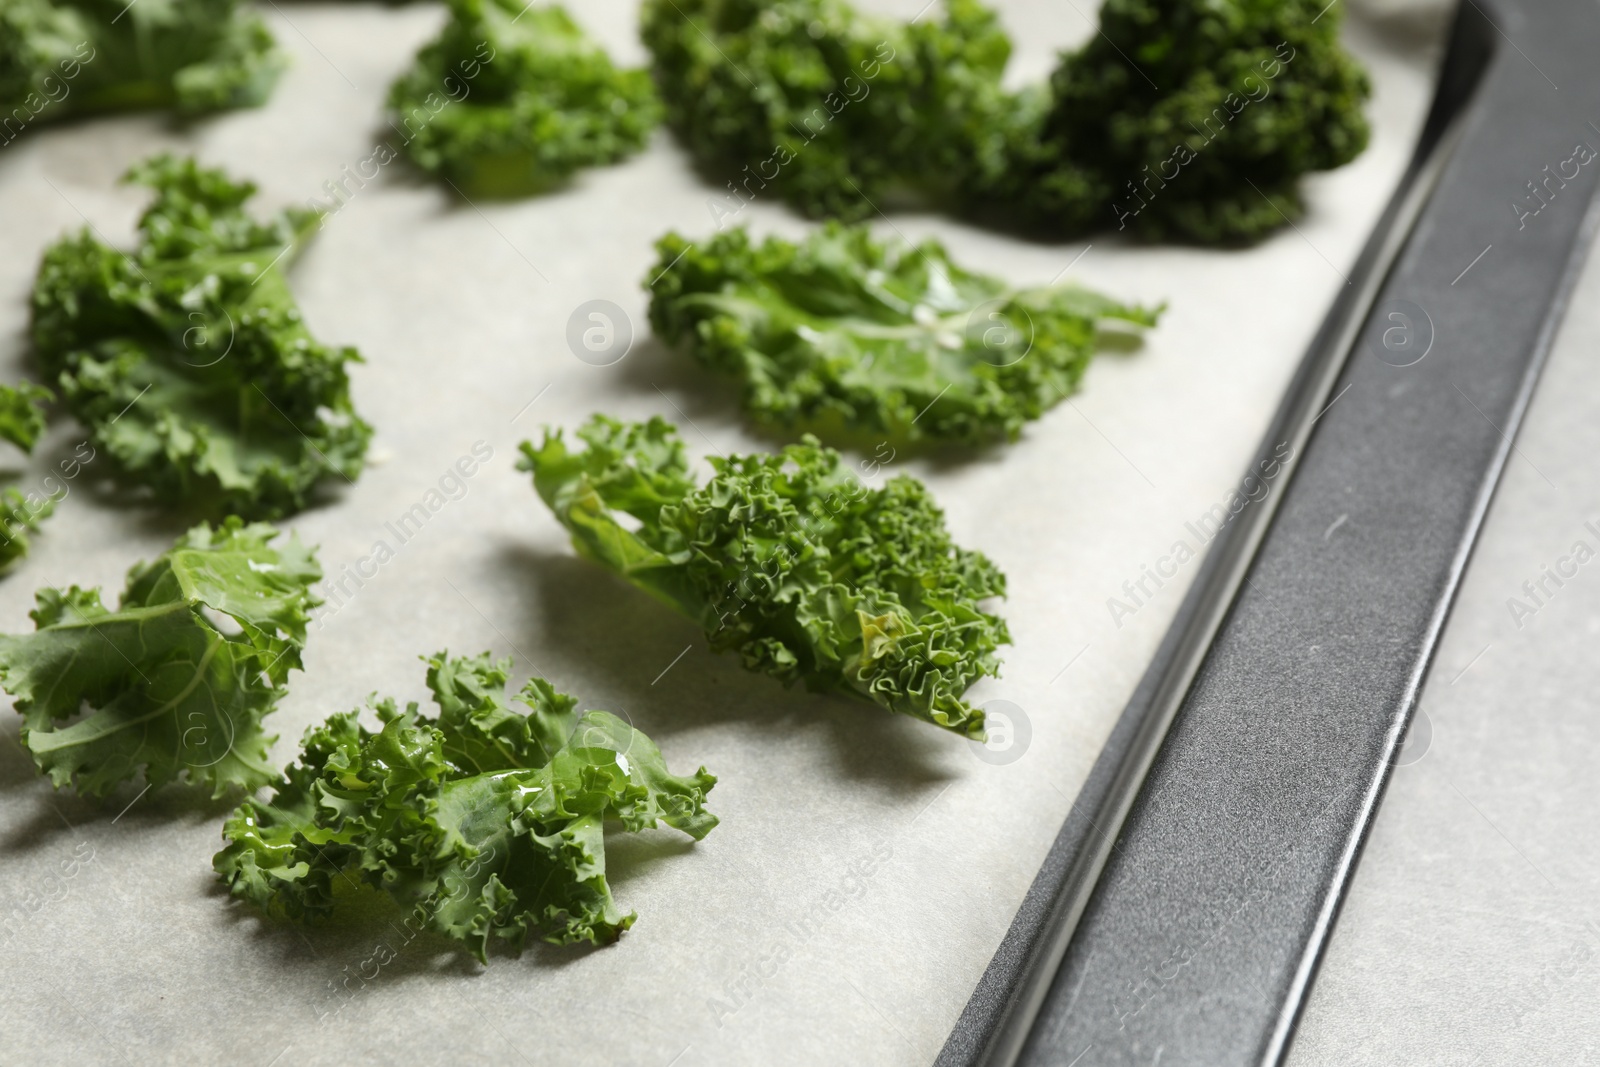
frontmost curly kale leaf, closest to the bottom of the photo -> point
(489, 821)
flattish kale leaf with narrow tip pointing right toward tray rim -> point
(849, 337)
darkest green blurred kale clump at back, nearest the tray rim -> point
(1161, 119)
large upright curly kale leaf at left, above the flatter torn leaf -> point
(188, 358)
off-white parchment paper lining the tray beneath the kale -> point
(866, 866)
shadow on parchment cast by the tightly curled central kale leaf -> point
(596, 620)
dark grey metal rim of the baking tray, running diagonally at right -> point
(1186, 903)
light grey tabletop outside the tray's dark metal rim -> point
(1471, 935)
